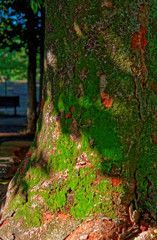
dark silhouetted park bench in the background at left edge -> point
(10, 101)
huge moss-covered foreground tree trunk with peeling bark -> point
(95, 148)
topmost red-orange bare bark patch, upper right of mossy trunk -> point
(139, 39)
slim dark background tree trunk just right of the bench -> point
(32, 52)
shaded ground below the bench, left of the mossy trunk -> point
(14, 143)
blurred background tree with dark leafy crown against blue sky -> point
(20, 26)
